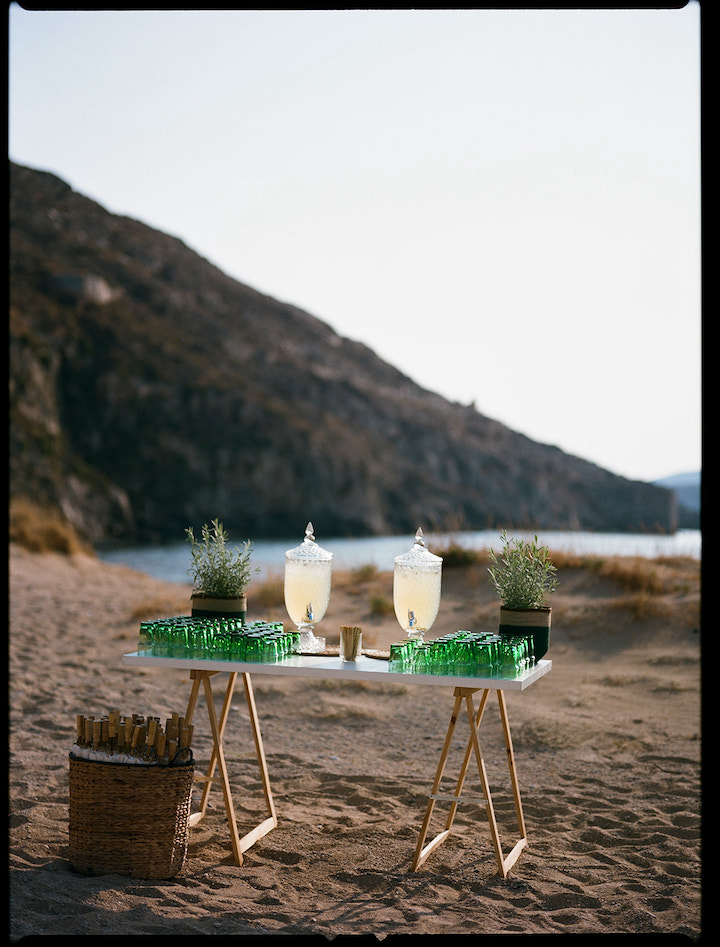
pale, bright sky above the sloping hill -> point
(503, 204)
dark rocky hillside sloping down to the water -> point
(149, 391)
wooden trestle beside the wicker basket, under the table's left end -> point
(217, 758)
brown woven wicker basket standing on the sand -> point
(129, 819)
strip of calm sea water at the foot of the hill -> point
(171, 562)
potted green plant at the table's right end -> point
(524, 577)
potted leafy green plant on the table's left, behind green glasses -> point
(220, 573)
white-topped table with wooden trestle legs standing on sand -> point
(369, 669)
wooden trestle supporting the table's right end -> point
(422, 851)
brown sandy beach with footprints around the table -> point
(607, 748)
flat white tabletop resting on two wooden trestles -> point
(363, 669)
